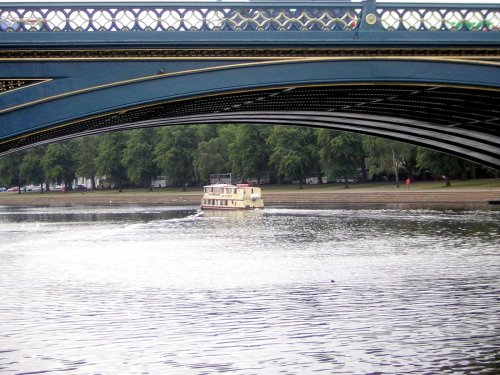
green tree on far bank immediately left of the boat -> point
(175, 153)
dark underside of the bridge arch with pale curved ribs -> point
(458, 120)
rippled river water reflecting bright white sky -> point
(141, 290)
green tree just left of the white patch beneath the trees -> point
(59, 163)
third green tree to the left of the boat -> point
(109, 162)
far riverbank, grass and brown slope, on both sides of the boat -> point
(464, 194)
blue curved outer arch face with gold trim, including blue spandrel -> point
(91, 88)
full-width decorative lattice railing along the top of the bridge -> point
(248, 16)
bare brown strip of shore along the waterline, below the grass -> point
(304, 198)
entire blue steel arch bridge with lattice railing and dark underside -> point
(427, 74)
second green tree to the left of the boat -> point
(139, 157)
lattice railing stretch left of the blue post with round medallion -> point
(147, 18)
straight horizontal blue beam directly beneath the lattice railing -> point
(291, 39)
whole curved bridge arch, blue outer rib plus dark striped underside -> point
(446, 104)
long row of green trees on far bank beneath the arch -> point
(188, 155)
